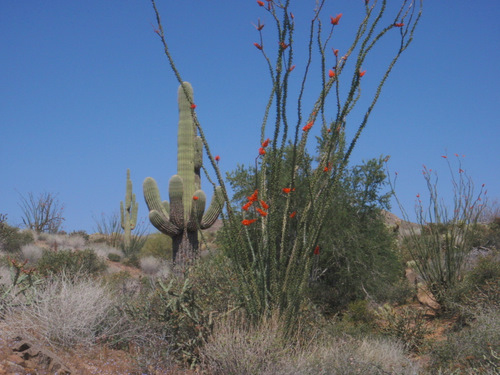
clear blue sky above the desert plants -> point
(86, 92)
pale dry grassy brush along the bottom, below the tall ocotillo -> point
(236, 349)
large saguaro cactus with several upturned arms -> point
(185, 215)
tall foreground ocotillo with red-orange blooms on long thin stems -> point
(278, 235)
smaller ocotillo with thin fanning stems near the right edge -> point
(440, 249)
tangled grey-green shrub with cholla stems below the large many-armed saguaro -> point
(182, 312)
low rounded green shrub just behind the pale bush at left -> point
(70, 262)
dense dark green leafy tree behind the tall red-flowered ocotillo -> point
(357, 252)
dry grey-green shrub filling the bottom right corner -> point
(472, 350)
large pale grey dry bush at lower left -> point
(65, 312)
